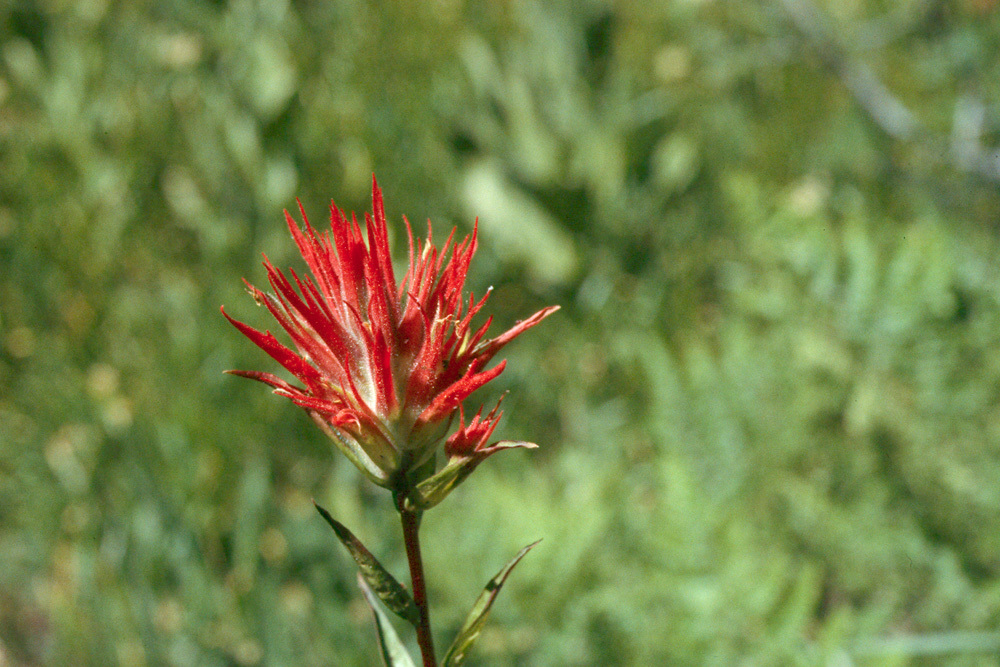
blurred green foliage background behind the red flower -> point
(768, 411)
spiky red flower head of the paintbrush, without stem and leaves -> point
(384, 366)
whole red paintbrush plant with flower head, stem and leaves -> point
(384, 367)
